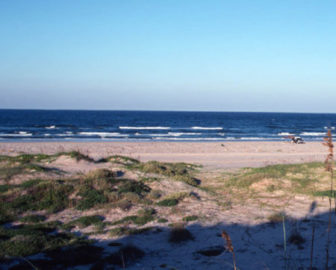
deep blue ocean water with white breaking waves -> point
(62, 125)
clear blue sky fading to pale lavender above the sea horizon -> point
(169, 55)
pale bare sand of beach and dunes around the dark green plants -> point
(249, 212)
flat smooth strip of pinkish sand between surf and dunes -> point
(209, 154)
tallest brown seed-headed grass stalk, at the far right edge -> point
(329, 164)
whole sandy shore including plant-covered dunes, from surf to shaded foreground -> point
(170, 214)
